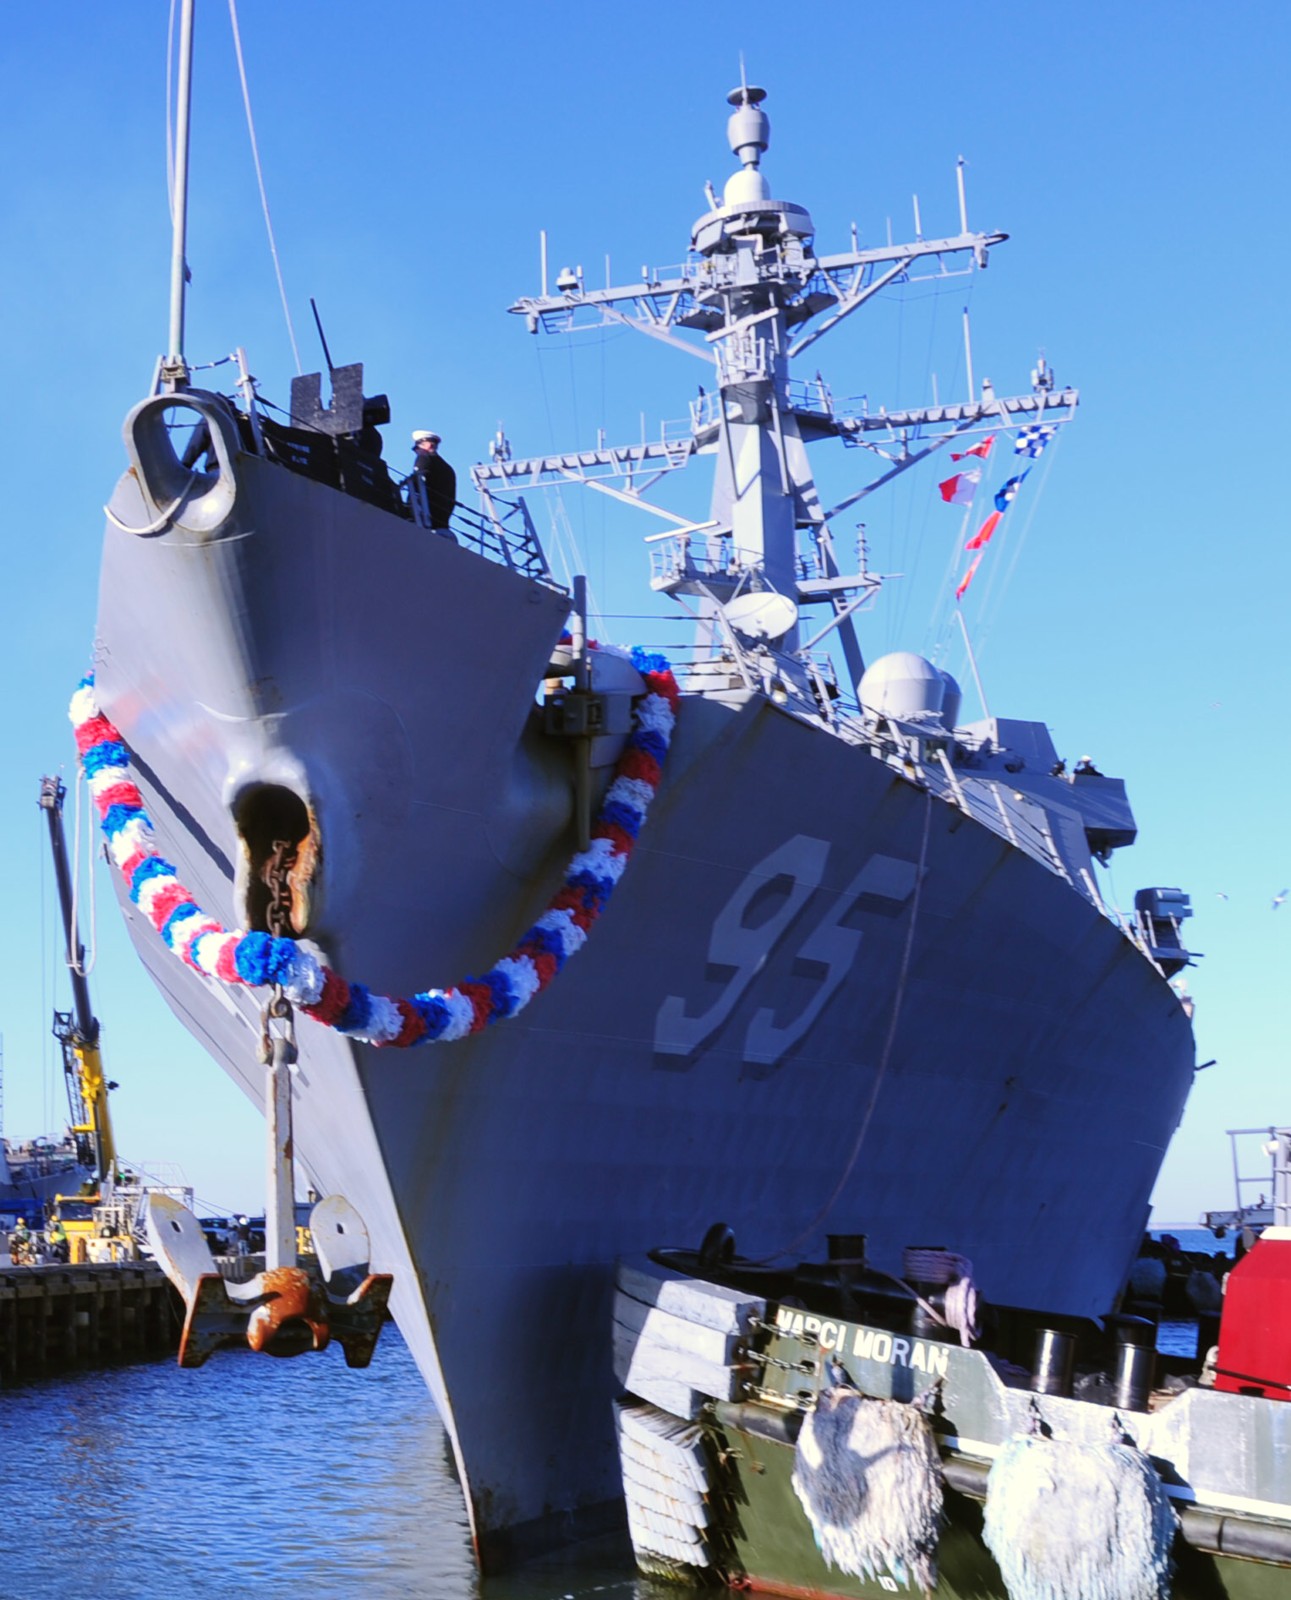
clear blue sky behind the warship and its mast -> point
(1137, 156)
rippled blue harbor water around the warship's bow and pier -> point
(252, 1474)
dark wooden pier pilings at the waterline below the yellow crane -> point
(57, 1319)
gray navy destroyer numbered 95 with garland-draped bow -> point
(858, 974)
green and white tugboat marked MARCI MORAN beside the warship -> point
(834, 1431)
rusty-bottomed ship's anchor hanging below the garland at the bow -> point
(287, 1310)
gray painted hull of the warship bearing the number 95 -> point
(753, 991)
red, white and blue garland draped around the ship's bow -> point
(354, 1010)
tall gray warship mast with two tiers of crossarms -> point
(751, 287)
